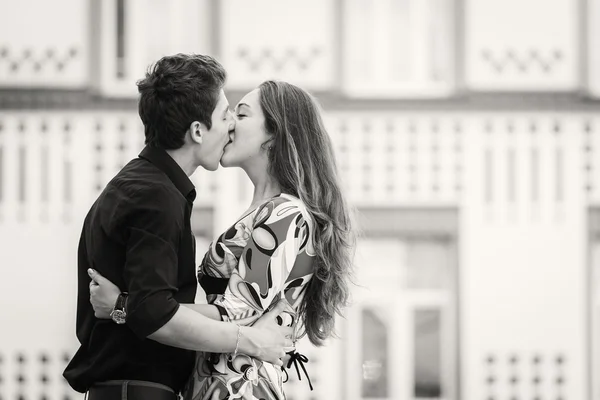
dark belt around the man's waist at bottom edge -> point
(130, 390)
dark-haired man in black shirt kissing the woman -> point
(138, 235)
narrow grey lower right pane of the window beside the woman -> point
(427, 357)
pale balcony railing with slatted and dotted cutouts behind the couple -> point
(54, 164)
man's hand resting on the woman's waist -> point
(266, 340)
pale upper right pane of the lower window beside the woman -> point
(427, 265)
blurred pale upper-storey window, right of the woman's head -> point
(398, 48)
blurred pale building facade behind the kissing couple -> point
(468, 136)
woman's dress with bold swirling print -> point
(266, 255)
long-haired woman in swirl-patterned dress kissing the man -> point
(294, 242)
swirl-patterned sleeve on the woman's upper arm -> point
(279, 231)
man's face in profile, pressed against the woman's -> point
(215, 139)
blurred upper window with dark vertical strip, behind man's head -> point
(130, 35)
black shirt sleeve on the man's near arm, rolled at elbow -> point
(152, 234)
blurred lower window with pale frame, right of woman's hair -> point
(402, 328)
